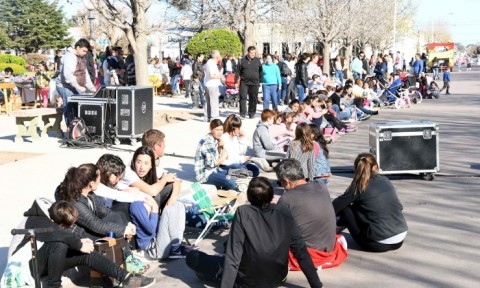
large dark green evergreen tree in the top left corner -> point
(30, 30)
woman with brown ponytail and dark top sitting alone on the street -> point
(370, 208)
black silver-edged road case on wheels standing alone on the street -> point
(406, 147)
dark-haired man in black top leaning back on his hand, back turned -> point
(258, 246)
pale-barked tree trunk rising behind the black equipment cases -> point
(131, 17)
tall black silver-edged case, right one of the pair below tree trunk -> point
(134, 113)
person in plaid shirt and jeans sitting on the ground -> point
(210, 155)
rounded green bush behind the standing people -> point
(214, 39)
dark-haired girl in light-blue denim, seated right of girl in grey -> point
(321, 152)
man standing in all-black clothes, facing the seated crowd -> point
(249, 70)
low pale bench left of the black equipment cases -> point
(47, 119)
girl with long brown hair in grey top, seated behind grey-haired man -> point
(301, 148)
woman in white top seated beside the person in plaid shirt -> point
(234, 142)
